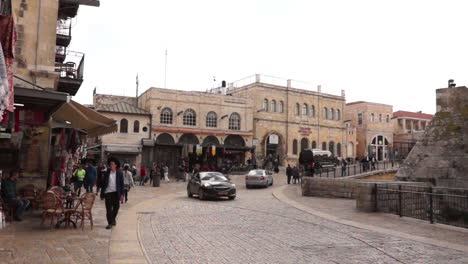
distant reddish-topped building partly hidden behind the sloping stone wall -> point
(408, 128)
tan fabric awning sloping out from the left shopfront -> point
(81, 117)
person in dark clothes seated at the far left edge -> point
(10, 196)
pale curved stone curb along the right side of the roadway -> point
(278, 194)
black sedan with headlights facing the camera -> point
(210, 184)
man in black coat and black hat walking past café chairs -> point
(112, 190)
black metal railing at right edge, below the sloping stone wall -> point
(437, 205)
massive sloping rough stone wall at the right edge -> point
(441, 157)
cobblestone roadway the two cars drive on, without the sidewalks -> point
(258, 228)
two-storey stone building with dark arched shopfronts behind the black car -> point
(198, 126)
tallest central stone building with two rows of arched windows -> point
(287, 118)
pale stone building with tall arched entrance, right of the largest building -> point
(374, 129)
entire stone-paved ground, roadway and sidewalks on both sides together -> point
(273, 225)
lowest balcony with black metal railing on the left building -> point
(71, 72)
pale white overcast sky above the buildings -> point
(392, 52)
